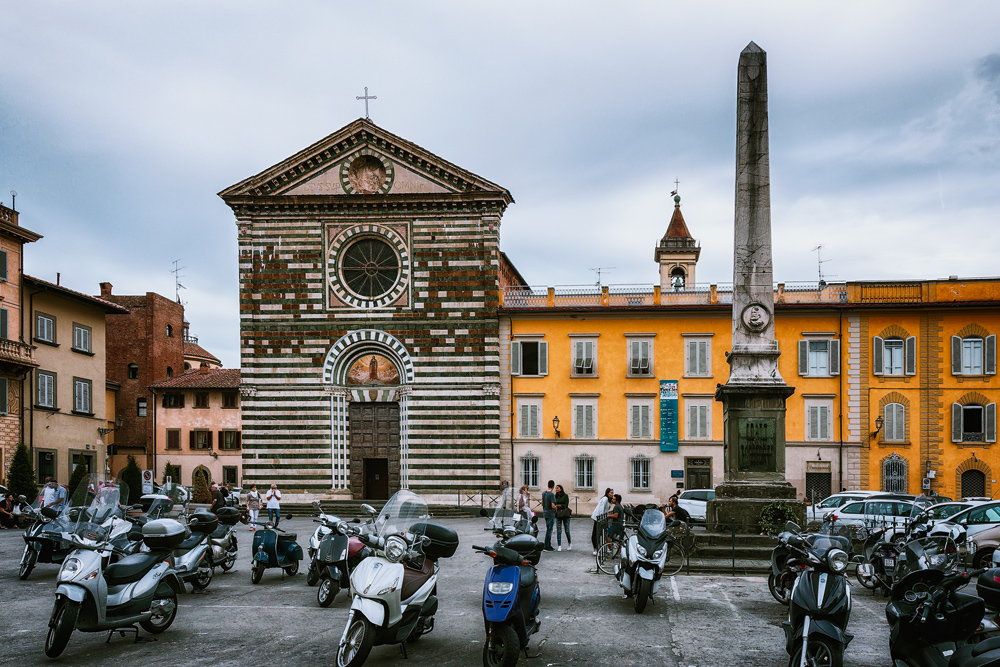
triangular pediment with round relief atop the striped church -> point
(363, 159)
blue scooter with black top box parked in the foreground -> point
(511, 594)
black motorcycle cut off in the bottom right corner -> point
(931, 623)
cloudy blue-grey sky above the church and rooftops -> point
(120, 121)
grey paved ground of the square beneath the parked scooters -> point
(701, 621)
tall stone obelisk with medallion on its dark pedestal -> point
(753, 399)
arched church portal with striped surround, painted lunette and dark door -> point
(369, 373)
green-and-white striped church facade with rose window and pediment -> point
(370, 273)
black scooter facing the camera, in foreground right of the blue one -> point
(820, 604)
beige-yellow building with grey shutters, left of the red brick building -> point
(67, 420)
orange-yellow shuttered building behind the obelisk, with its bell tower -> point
(608, 387)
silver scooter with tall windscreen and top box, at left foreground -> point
(93, 595)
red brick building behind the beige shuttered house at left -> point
(143, 348)
